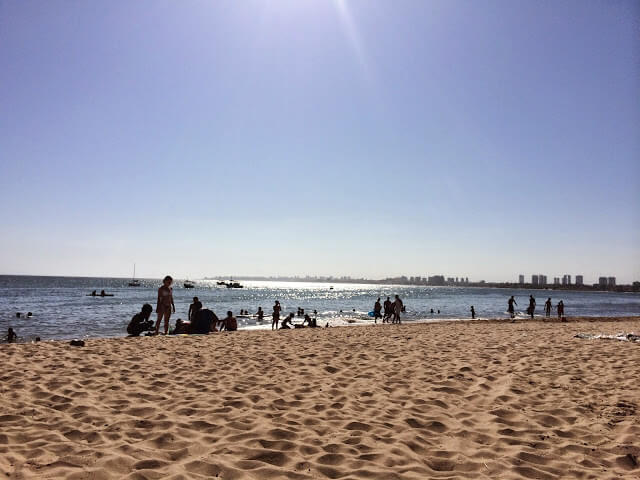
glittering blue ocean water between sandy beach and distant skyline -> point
(62, 309)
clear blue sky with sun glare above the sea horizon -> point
(367, 138)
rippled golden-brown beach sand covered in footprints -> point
(484, 399)
